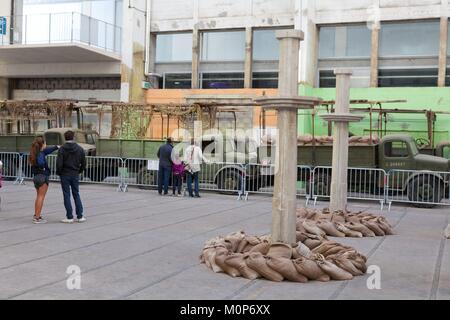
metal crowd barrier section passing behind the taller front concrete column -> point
(261, 180)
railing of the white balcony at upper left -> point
(62, 28)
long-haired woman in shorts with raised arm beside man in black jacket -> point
(41, 173)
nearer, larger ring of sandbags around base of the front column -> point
(251, 257)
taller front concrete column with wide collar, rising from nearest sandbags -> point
(284, 203)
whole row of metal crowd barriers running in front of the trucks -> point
(422, 188)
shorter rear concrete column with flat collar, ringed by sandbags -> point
(341, 117)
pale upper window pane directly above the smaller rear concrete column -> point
(344, 41)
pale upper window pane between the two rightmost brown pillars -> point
(420, 38)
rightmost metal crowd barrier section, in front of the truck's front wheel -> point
(424, 188)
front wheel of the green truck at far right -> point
(425, 189)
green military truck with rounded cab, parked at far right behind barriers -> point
(392, 152)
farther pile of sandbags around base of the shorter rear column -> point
(340, 224)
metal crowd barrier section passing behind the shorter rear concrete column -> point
(362, 183)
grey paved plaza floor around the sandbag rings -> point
(139, 245)
